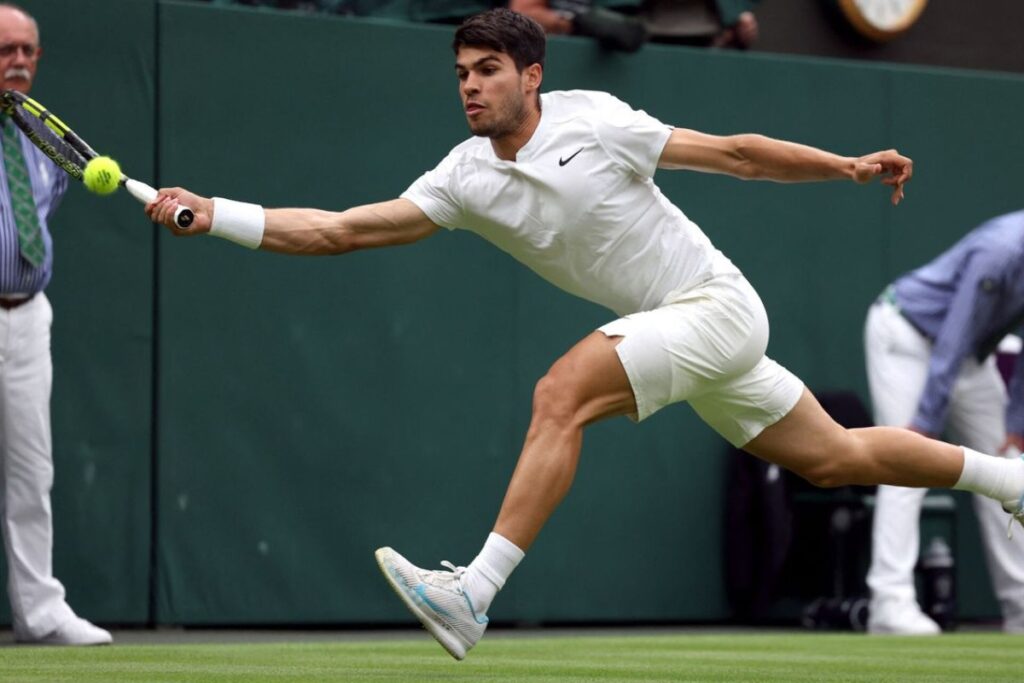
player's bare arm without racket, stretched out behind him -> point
(758, 157)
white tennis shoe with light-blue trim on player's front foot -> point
(438, 600)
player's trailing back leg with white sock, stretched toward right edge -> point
(810, 444)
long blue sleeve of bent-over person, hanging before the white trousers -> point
(966, 324)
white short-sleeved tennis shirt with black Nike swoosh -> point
(578, 206)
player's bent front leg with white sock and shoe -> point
(585, 386)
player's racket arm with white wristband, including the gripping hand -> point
(296, 231)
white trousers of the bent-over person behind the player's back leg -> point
(898, 369)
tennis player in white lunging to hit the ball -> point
(564, 183)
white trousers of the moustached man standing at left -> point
(37, 600)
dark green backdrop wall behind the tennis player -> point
(236, 433)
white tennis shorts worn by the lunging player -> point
(707, 347)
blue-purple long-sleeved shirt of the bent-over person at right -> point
(965, 302)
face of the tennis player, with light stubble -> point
(494, 94)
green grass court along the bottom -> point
(786, 658)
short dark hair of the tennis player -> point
(517, 35)
